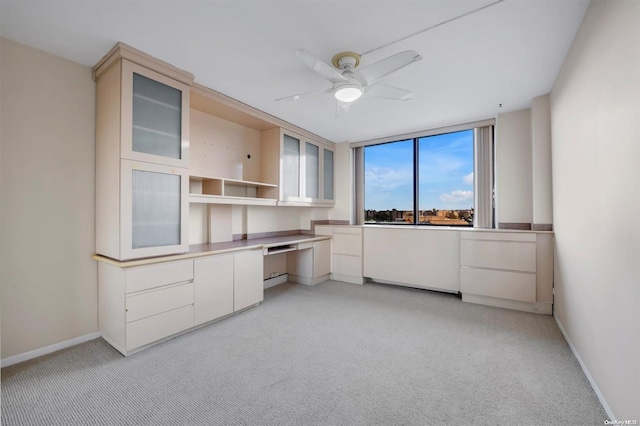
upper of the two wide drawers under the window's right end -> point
(514, 256)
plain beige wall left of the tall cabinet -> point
(47, 278)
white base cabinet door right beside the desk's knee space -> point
(248, 287)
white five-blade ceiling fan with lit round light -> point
(350, 83)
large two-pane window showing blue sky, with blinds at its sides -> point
(429, 180)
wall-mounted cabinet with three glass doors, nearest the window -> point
(302, 168)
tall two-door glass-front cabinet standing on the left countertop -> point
(142, 144)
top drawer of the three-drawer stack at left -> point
(146, 277)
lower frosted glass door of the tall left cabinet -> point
(154, 210)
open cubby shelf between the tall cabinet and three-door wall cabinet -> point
(217, 190)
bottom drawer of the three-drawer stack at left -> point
(154, 328)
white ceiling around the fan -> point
(506, 54)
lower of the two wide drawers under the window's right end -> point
(502, 284)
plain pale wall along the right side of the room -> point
(595, 113)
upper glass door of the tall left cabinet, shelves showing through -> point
(155, 122)
